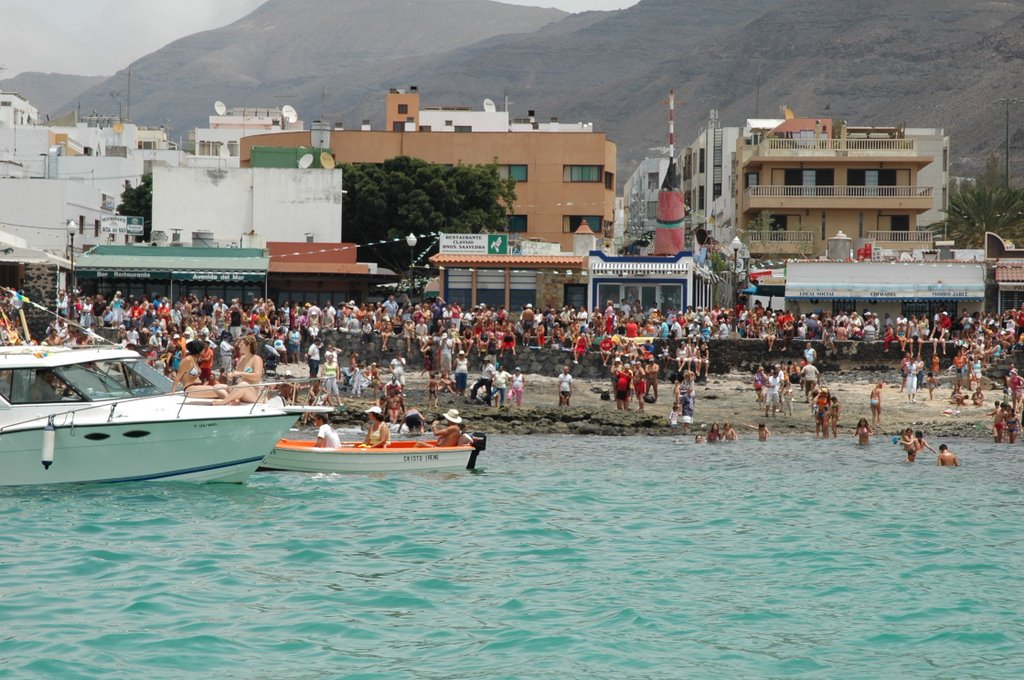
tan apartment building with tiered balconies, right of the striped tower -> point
(803, 181)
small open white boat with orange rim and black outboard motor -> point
(305, 456)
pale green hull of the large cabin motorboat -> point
(226, 450)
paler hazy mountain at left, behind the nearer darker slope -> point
(288, 52)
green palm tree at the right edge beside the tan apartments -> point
(974, 210)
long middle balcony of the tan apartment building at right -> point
(772, 197)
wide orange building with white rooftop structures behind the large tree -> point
(566, 174)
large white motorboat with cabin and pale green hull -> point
(103, 415)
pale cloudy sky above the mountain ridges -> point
(100, 37)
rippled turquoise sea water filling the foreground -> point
(565, 558)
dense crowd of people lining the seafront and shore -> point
(639, 349)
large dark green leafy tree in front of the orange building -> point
(386, 203)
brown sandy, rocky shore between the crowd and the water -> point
(728, 398)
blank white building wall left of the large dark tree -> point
(280, 204)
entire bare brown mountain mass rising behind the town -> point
(940, 64)
